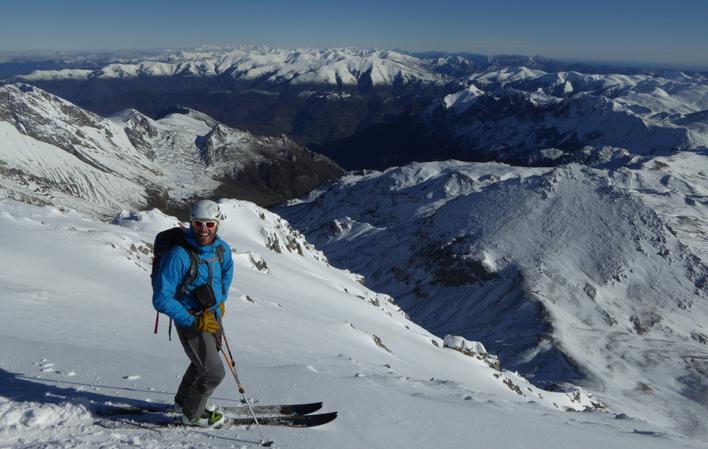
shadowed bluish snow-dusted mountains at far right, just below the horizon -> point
(517, 113)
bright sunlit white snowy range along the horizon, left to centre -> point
(342, 67)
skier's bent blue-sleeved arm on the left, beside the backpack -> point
(173, 267)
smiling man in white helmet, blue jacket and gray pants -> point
(198, 325)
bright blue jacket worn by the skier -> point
(174, 266)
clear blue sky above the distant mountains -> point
(621, 31)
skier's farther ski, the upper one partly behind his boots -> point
(231, 411)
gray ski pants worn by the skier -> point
(204, 374)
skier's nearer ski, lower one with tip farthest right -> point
(165, 421)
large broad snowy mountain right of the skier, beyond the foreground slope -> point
(570, 274)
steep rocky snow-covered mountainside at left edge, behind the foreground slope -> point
(53, 152)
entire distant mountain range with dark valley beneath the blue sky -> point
(378, 108)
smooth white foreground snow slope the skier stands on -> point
(79, 334)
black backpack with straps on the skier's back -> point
(164, 242)
